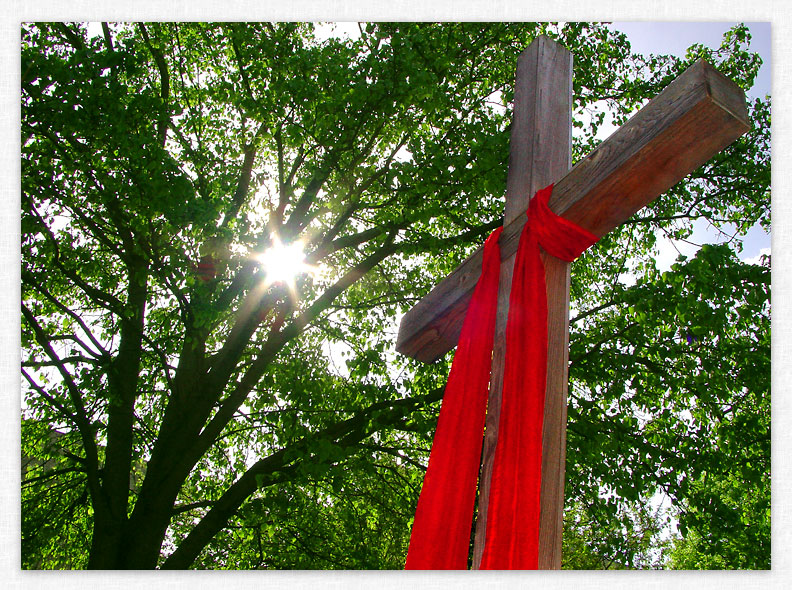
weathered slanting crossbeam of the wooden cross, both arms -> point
(696, 116)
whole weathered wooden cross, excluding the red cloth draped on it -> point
(697, 115)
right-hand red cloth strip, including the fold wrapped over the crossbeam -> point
(512, 538)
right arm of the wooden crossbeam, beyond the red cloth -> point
(699, 114)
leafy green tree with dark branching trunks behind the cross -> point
(191, 413)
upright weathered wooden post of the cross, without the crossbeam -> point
(540, 152)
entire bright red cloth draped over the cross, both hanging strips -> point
(442, 526)
